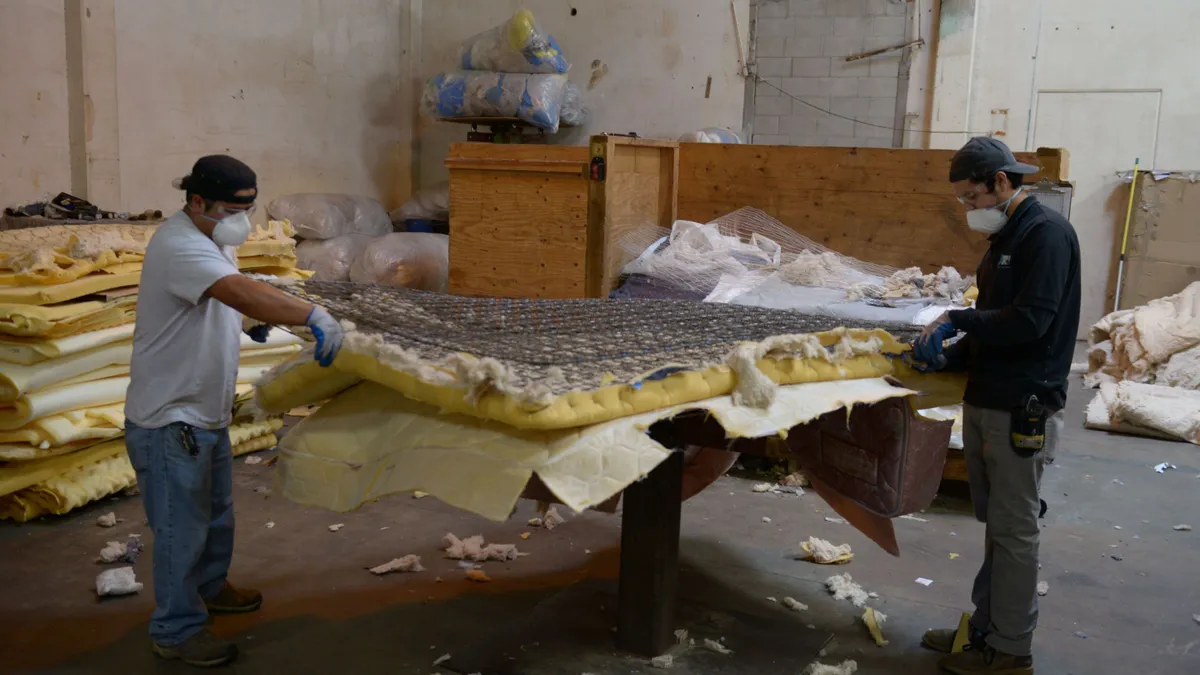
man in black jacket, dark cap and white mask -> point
(1017, 349)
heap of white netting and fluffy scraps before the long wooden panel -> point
(749, 258)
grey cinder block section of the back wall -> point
(802, 49)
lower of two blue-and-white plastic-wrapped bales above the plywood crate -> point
(533, 99)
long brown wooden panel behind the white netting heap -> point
(881, 206)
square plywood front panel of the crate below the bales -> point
(519, 220)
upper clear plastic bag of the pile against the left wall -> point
(325, 217)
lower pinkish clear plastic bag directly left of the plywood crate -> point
(413, 260)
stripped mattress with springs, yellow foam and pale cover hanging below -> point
(469, 398)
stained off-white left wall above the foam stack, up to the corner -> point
(113, 100)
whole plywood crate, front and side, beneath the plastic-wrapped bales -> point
(527, 222)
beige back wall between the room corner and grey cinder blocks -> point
(659, 57)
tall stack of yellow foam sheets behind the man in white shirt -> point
(68, 302)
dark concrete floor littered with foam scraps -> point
(325, 613)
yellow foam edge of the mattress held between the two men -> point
(305, 383)
